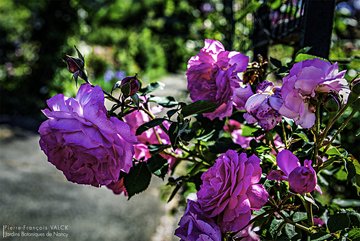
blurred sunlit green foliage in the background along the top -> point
(124, 37)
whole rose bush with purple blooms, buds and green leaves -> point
(252, 155)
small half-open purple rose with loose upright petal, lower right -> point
(302, 179)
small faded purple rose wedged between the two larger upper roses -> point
(261, 107)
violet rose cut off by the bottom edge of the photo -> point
(195, 226)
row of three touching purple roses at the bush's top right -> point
(214, 75)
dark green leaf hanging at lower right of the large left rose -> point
(138, 179)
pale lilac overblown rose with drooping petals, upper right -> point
(305, 80)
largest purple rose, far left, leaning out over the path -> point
(80, 140)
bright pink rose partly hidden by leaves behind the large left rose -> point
(142, 153)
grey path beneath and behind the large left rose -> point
(35, 194)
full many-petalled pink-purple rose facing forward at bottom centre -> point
(230, 190)
